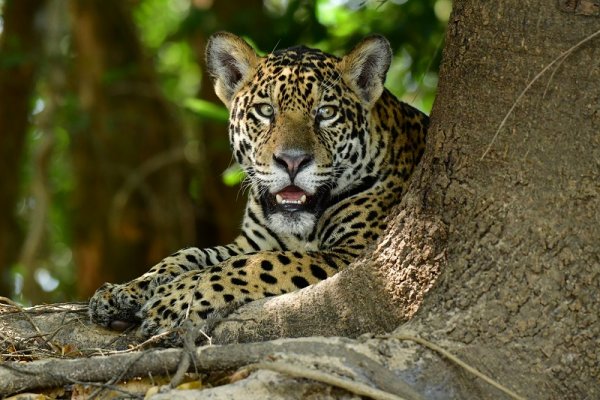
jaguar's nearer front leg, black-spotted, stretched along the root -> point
(196, 295)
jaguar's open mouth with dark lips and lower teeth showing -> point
(293, 199)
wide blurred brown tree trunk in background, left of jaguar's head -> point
(132, 206)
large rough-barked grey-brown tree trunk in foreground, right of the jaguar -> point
(519, 295)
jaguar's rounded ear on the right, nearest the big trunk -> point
(364, 68)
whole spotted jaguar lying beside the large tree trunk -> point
(327, 152)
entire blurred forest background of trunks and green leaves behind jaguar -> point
(113, 146)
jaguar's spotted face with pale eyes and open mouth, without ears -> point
(299, 130)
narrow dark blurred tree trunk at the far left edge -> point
(19, 53)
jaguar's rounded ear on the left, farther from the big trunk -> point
(231, 62)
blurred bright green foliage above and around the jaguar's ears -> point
(415, 29)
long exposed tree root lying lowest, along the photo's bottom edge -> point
(339, 363)
